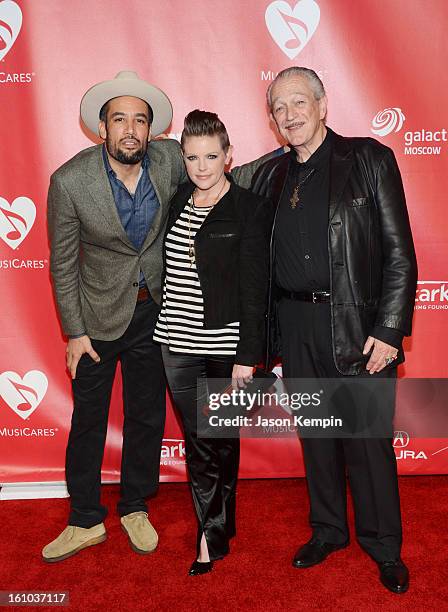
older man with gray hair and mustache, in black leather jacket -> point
(344, 274)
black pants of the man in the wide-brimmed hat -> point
(144, 420)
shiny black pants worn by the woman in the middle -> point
(212, 462)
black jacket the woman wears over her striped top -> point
(232, 259)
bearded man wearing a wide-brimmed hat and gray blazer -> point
(107, 209)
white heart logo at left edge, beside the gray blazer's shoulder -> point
(16, 220)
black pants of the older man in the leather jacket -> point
(369, 462)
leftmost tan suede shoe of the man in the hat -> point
(72, 540)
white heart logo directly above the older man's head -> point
(292, 28)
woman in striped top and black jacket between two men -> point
(211, 324)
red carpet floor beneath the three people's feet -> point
(257, 575)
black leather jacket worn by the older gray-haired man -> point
(373, 268)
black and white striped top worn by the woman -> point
(181, 320)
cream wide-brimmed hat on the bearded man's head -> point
(126, 83)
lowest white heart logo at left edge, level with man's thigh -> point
(23, 395)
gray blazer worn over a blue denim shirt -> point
(94, 266)
